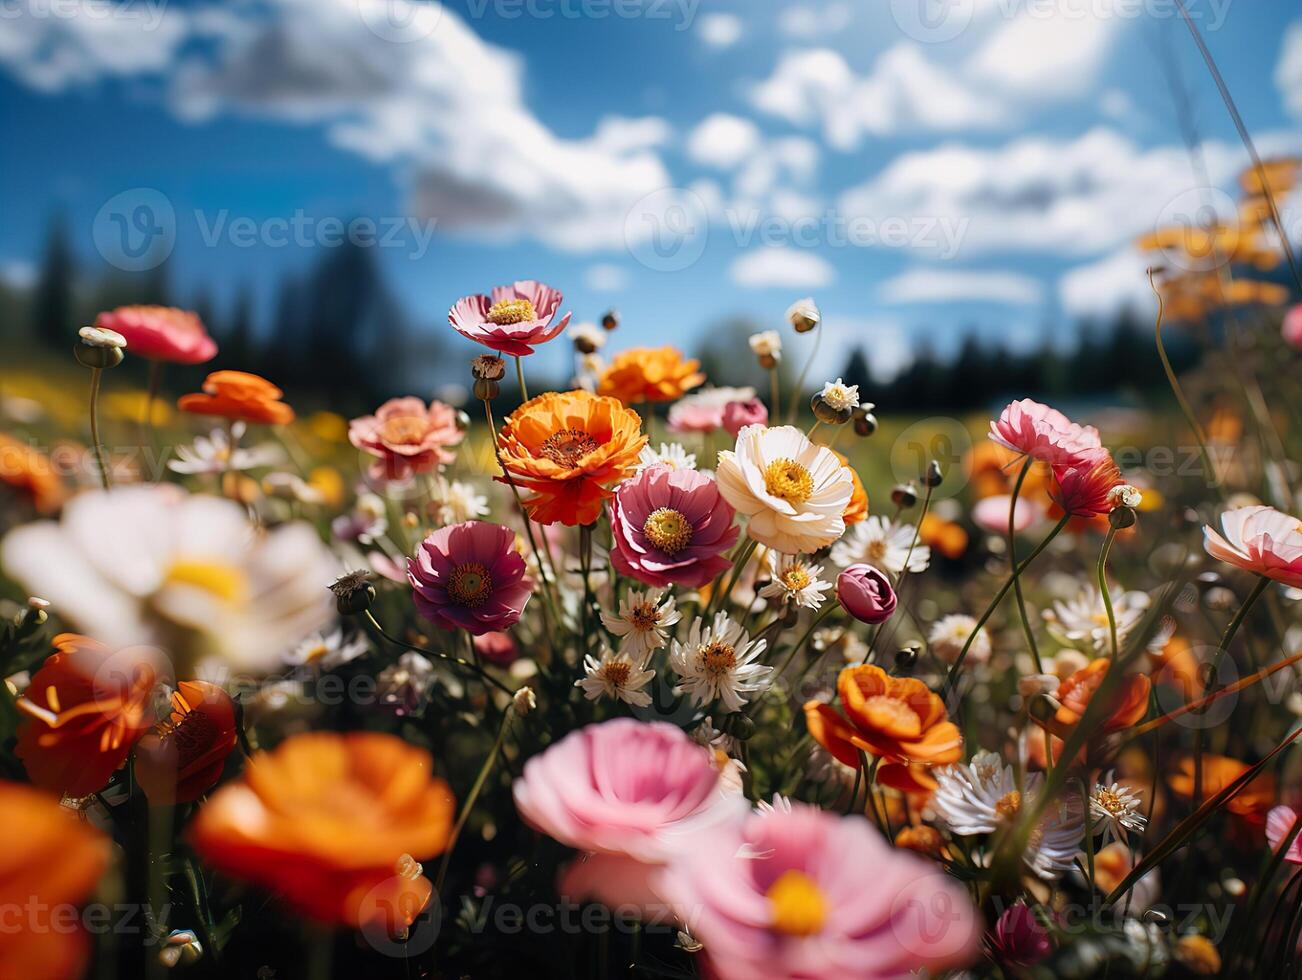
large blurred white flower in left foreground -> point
(187, 573)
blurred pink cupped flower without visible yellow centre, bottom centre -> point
(628, 795)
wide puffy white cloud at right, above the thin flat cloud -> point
(1076, 197)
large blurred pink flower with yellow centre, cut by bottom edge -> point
(783, 895)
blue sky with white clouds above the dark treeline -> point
(913, 165)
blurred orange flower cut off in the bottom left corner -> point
(57, 865)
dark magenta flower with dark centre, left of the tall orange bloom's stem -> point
(471, 577)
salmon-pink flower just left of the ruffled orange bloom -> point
(407, 437)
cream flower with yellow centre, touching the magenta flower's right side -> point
(794, 491)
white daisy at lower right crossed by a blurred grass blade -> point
(982, 797)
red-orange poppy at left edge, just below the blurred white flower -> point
(87, 707)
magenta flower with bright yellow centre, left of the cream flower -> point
(671, 528)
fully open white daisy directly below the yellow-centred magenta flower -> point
(718, 663)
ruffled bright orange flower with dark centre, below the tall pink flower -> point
(570, 448)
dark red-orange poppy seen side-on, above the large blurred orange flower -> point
(183, 758)
